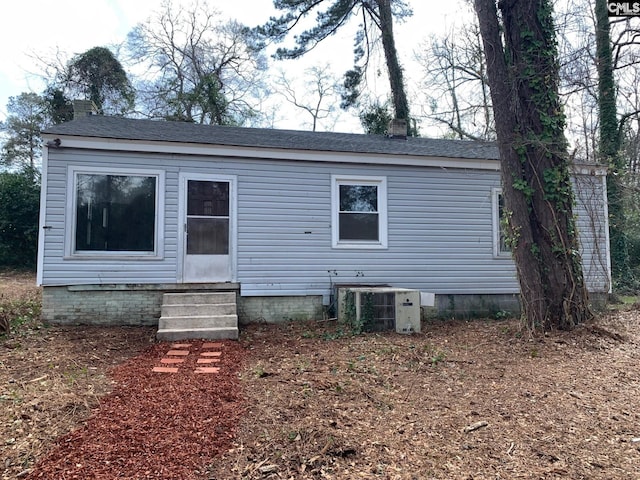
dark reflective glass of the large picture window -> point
(115, 213)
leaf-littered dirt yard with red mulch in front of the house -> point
(462, 400)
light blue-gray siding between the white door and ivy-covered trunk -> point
(439, 227)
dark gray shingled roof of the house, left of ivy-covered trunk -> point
(98, 126)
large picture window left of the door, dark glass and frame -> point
(115, 213)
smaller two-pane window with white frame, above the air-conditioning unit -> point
(359, 212)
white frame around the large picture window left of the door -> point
(71, 211)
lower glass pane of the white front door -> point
(208, 236)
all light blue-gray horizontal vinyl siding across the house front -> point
(439, 227)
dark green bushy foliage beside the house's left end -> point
(19, 207)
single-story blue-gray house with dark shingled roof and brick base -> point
(132, 209)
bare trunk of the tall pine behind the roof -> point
(396, 77)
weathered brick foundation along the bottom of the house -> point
(141, 305)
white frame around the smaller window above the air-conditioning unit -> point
(381, 184)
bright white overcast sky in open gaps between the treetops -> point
(30, 28)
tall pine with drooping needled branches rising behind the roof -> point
(377, 26)
